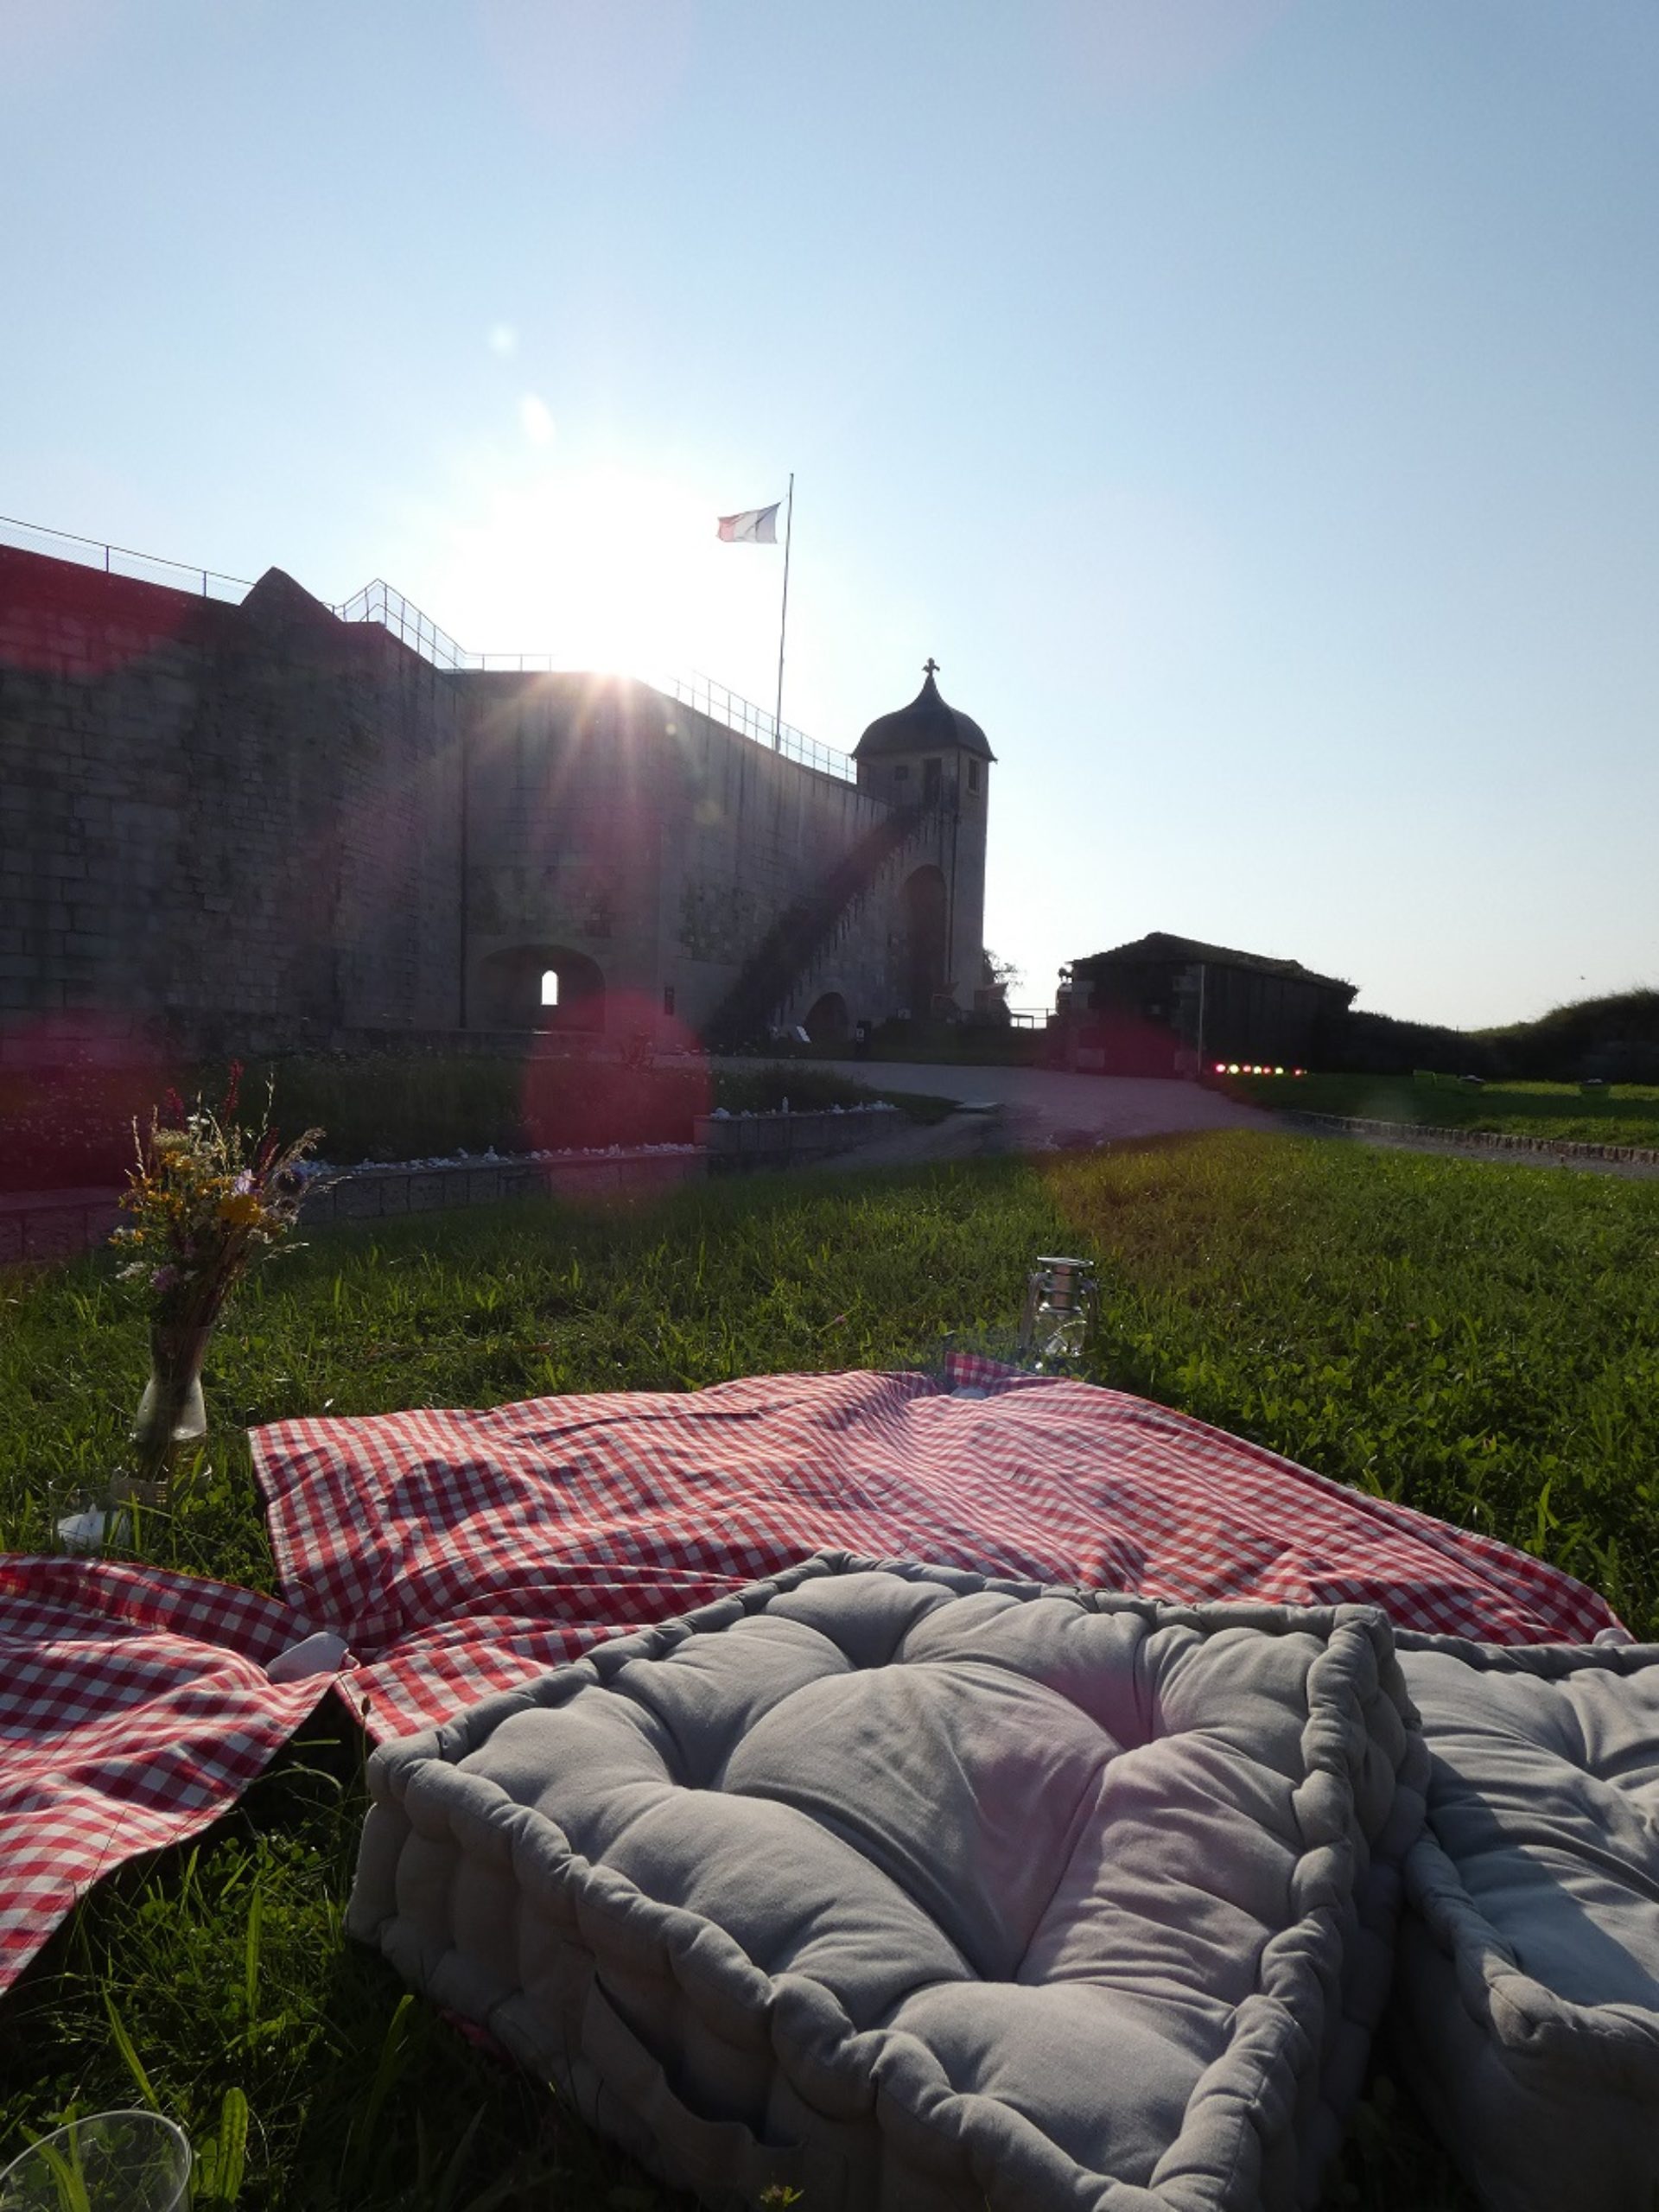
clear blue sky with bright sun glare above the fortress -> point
(1249, 404)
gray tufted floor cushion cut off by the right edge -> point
(1527, 2007)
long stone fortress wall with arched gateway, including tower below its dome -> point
(260, 826)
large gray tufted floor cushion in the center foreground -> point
(917, 1890)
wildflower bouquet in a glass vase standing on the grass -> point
(207, 1200)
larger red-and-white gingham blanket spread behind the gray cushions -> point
(463, 1554)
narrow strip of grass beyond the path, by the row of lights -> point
(1623, 1114)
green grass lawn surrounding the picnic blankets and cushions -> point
(1474, 1339)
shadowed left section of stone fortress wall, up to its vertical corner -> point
(229, 824)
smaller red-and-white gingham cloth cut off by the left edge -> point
(134, 1711)
